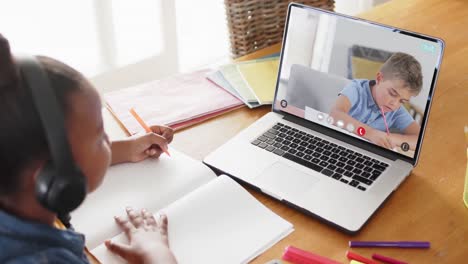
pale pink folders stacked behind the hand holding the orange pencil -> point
(178, 101)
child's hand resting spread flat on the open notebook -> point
(148, 239)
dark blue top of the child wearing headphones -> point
(27, 242)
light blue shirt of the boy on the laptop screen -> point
(365, 110)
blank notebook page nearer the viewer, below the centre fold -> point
(219, 222)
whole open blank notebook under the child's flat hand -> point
(211, 219)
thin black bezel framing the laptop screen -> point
(347, 138)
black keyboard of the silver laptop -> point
(342, 164)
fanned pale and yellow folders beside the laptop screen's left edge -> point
(253, 82)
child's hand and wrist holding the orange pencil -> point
(139, 147)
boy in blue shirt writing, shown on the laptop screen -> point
(363, 103)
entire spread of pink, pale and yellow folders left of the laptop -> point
(186, 99)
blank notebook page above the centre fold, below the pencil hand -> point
(152, 184)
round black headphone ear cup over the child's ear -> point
(60, 194)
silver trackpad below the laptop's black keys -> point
(286, 181)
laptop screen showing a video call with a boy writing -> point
(369, 81)
